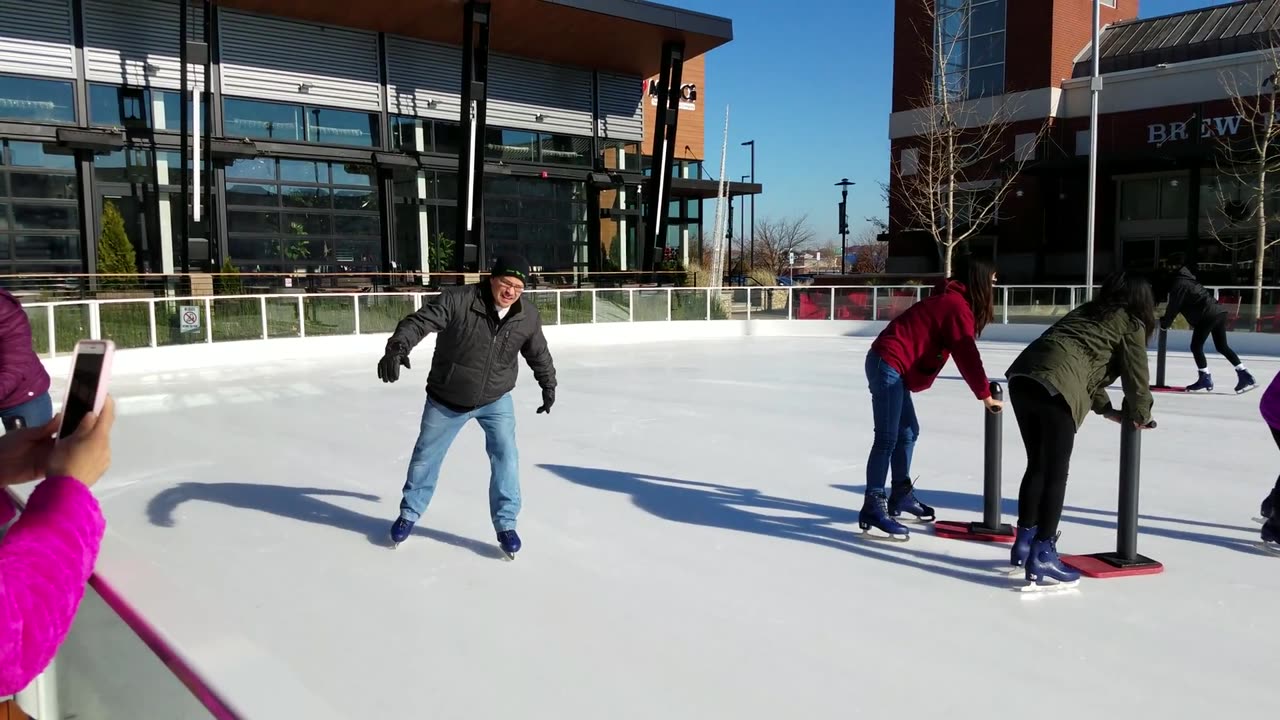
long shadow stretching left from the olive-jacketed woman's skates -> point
(748, 511)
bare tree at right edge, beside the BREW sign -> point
(1247, 163)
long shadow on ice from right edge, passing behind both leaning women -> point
(971, 504)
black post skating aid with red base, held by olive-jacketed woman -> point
(1126, 560)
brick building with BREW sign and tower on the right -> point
(1159, 192)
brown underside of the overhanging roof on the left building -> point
(623, 37)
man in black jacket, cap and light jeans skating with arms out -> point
(481, 331)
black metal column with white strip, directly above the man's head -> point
(472, 120)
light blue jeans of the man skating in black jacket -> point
(440, 427)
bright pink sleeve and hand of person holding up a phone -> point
(49, 554)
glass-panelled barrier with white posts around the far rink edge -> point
(163, 322)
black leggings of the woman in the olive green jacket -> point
(1049, 435)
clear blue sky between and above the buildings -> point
(811, 84)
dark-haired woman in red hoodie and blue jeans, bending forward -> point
(907, 358)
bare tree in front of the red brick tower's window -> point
(962, 163)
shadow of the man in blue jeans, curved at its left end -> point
(299, 504)
